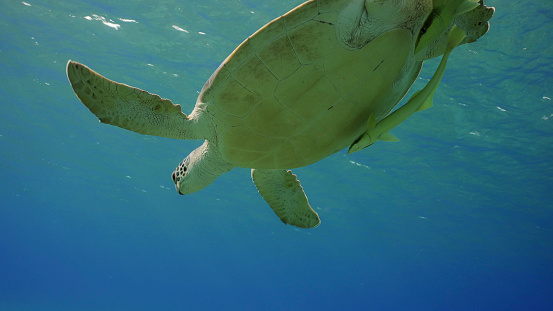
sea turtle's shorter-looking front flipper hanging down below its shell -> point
(284, 194)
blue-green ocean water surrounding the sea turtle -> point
(458, 215)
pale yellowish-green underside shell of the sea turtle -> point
(291, 94)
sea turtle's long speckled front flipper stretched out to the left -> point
(128, 107)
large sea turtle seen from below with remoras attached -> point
(310, 83)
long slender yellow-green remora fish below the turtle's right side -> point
(421, 100)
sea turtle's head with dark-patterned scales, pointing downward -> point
(199, 169)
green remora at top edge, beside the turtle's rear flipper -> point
(440, 18)
